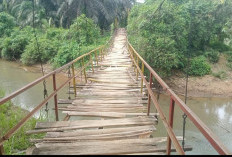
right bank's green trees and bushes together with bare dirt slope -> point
(182, 37)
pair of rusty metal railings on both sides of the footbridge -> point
(136, 58)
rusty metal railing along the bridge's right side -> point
(174, 99)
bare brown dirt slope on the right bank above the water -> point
(206, 86)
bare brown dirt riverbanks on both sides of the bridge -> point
(207, 86)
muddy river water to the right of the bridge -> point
(216, 113)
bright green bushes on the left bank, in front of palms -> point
(55, 45)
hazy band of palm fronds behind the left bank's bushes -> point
(61, 13)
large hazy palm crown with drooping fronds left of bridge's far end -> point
(103, 12)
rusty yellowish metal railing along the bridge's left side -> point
(93, 56)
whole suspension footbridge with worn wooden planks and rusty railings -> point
(111, 110)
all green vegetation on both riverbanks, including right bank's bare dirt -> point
(174, 37)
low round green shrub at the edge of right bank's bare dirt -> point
(199, 66)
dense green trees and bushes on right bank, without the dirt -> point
(166, 36)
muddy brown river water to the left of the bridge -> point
(14, 77)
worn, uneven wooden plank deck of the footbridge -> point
(113, 95)
